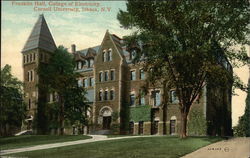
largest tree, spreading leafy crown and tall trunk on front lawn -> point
(188, 42)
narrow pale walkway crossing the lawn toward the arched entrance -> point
(94, 138)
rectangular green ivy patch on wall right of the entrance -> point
(140, 113)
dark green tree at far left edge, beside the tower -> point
(11, 103)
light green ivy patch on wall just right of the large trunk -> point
(196, 123)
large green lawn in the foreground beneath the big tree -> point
(144, 147)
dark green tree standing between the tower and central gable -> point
(58, 77)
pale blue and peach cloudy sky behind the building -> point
(84, 29)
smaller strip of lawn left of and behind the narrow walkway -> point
(30, 140)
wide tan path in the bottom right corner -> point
(232, 148)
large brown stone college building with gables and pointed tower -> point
(114, 90)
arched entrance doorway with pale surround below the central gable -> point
(105, 114)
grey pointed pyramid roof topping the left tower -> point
(40, 37)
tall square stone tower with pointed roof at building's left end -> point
(37, 50)
